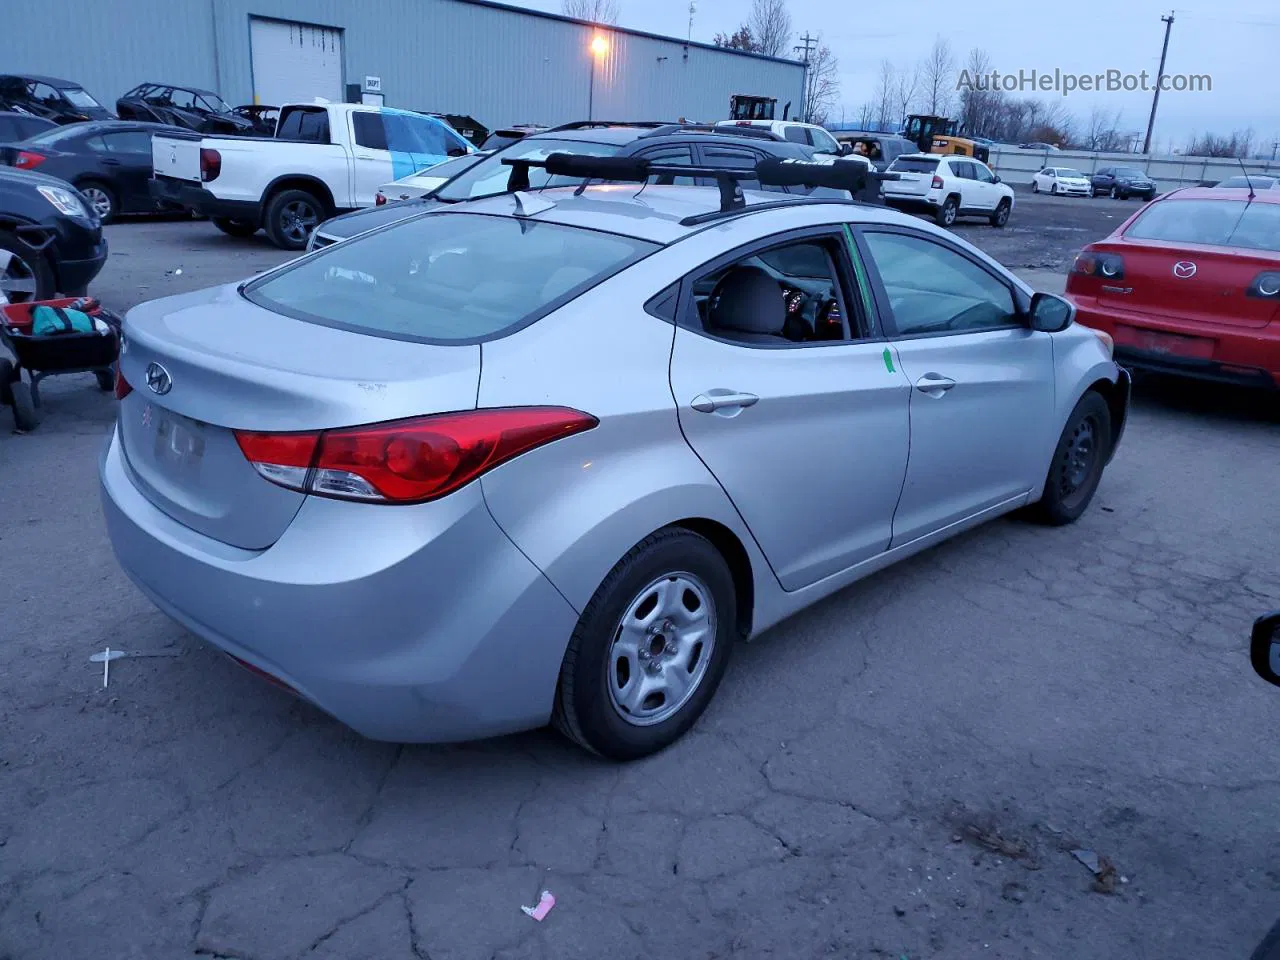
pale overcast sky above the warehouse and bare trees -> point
(1235, 42)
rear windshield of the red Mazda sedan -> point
(1219, 223)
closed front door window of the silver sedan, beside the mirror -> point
(934, 290)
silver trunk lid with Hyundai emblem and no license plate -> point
(232, 365)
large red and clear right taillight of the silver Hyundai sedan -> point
(406, 461)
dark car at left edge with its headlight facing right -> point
(51, 241)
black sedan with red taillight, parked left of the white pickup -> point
(108, 162)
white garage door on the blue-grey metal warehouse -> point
(295, 63)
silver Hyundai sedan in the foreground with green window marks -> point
(548, 458)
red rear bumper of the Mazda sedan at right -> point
(1242, 356)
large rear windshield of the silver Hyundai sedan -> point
(446, 277)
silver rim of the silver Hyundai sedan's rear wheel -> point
(661, 650)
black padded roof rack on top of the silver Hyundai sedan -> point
(849, 176)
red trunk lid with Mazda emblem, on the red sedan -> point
(1214, 292)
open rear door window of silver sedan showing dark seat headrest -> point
(781, 296)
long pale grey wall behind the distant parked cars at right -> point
(1017, 166)
